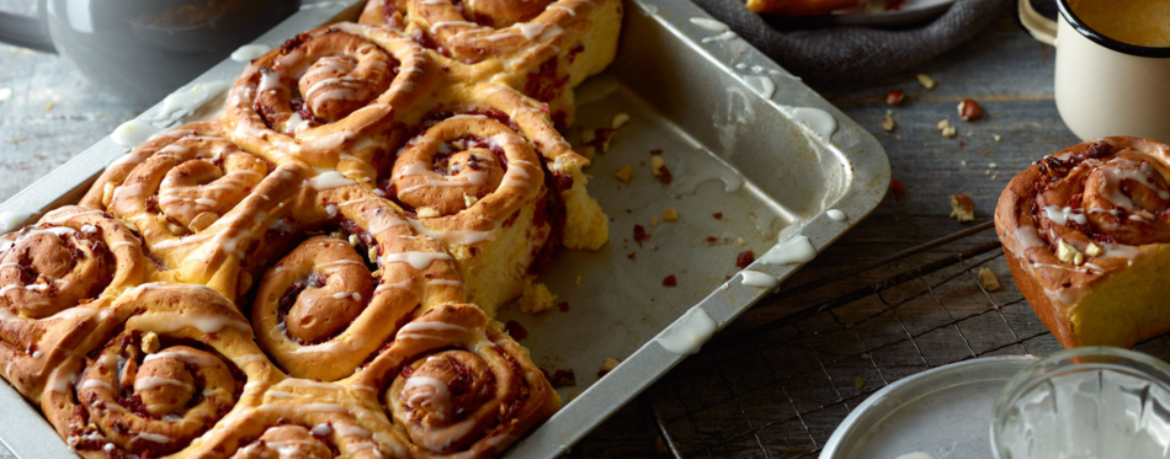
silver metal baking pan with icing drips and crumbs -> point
(744, 140)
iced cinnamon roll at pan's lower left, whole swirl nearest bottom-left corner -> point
(183, 359)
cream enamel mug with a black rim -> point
(1104, 87)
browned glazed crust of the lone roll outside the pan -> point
(1078, 218)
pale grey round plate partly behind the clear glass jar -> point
(945, 413)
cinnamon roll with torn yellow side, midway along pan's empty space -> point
(491, 177)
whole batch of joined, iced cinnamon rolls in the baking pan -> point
(137, 345)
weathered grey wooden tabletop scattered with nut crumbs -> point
(53, 113)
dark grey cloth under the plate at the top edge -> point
(843, 54)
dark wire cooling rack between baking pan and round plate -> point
(780, 389)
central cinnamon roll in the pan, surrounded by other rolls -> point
(335, 299)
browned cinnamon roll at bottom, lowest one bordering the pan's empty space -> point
(453, 383)
